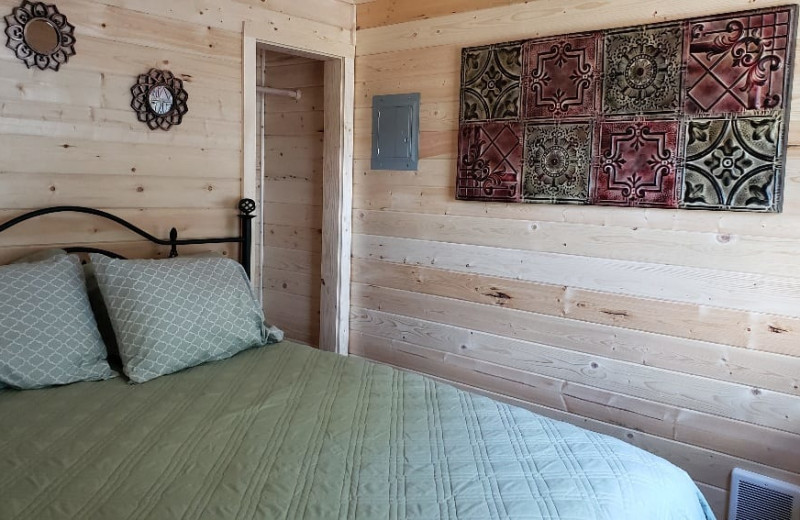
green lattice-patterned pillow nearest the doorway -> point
(173, 314)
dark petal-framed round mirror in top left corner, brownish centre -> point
(39, 35)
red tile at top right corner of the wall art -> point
(738, 63)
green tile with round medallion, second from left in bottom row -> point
(558, 160)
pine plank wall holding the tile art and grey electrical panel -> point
(678, 331)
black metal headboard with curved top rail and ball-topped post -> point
(246, 208)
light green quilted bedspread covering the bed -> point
(286, 431)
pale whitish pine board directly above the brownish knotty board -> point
(737, 290)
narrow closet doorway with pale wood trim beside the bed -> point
(305, 237)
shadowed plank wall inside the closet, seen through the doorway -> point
(293, 196)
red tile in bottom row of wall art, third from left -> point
(637, 164)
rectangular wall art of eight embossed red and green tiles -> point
(691, 114)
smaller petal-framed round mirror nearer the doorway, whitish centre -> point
(159, 99)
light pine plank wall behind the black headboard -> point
(70, 137)
